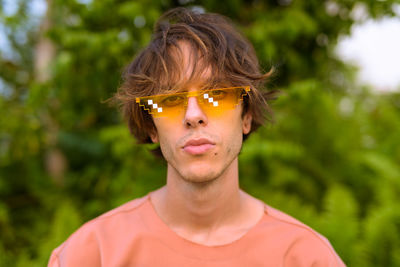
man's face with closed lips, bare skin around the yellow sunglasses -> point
(199, 147)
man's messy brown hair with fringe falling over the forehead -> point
(215, 45)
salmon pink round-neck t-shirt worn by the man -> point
(134, 235)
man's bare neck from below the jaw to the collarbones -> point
(201, 206)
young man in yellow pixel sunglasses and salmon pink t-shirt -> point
(194, 91)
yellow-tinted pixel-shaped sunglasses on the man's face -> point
(213, 102)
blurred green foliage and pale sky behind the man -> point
(331, 159)
